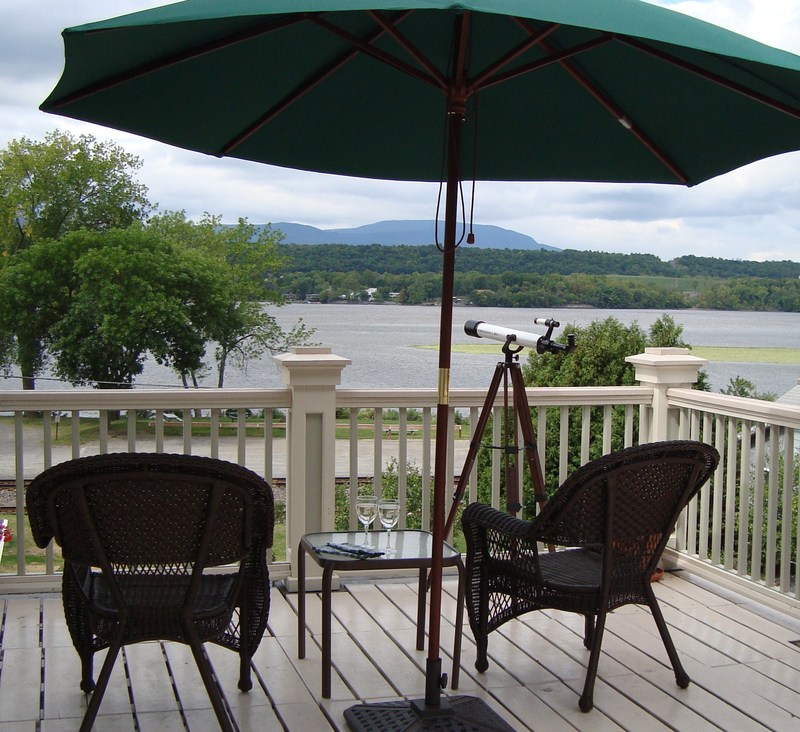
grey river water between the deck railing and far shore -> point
(384, 343)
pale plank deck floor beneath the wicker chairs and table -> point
(743, 663)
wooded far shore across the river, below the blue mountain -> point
(515, 278)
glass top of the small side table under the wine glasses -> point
(404, 544)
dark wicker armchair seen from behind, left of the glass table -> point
(137, 533)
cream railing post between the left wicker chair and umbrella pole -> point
(312, 374)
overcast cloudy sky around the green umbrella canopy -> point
(752, 213)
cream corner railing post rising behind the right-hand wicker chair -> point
(665, 368)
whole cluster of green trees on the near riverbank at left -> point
(94, 280)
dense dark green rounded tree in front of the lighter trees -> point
(133, 294)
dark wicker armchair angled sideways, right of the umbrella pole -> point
(609, 521)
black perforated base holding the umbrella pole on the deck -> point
(455, 713)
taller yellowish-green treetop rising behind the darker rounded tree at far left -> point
(65, 183)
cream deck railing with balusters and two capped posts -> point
(742, 529)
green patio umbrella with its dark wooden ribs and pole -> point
(571, 90)
